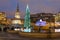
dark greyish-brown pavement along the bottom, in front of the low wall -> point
(8, 36)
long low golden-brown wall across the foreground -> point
(40, 35)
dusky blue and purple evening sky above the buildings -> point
(36, 6)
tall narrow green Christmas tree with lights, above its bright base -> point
(27, 18)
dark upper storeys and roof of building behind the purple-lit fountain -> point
(48, 17)
